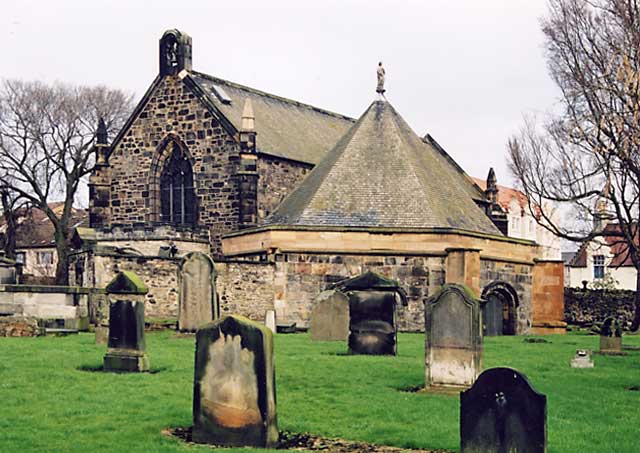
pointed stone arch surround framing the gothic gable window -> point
(163, 152)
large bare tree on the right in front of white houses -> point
(587, 157)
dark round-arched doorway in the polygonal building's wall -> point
(499, 312)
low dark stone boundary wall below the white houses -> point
(593, 306)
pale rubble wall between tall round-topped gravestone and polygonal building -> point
(245, 288)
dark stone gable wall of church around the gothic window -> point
(136, 162)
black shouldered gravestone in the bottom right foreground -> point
(502, 412)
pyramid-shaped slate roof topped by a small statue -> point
(381, 174)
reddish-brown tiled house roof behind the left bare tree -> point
(36, 230)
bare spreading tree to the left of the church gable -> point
(47, 133)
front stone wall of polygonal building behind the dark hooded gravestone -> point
(299, 278)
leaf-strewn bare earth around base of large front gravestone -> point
(305, 441)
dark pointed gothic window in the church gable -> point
(177, 195)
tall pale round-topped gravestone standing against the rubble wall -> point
(197, 304)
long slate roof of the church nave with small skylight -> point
(285, 128)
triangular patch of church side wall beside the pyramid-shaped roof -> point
(276, 179)
